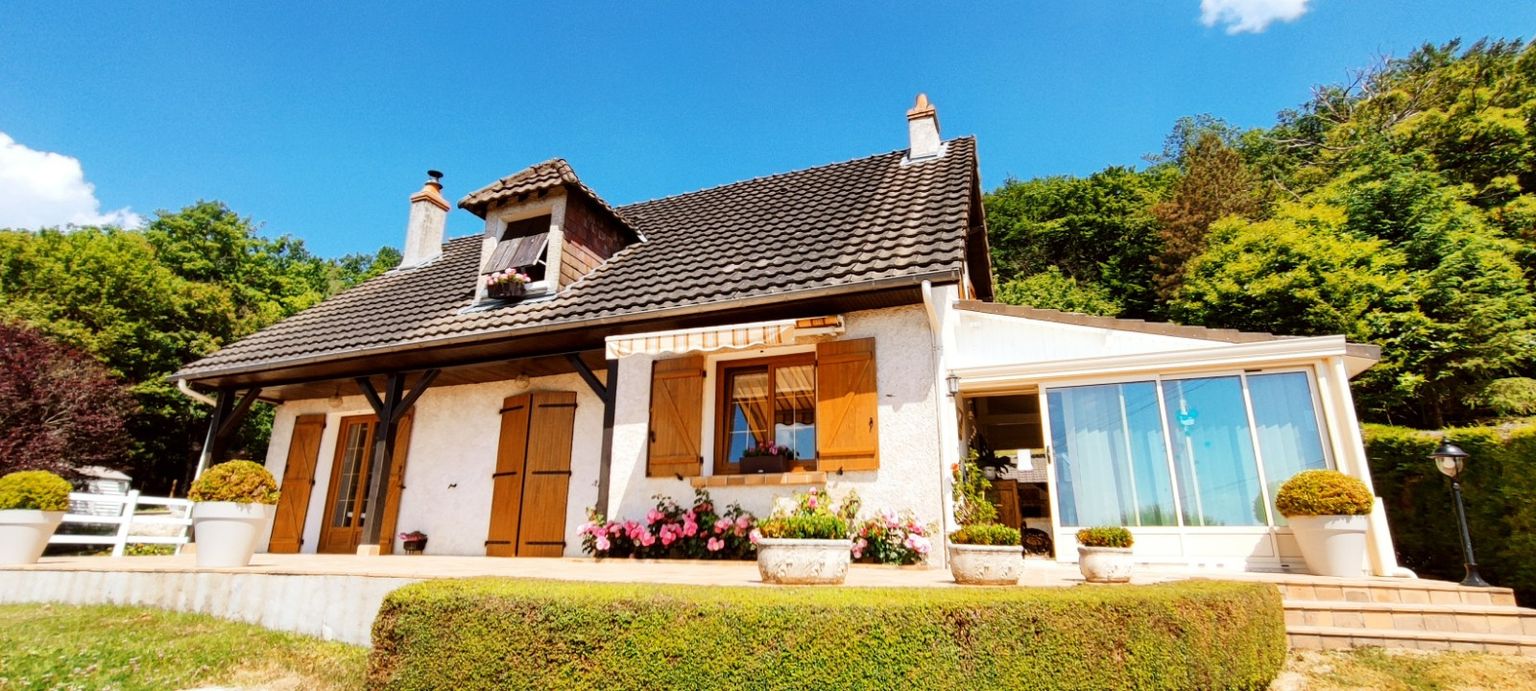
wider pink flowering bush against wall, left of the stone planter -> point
(672, 532)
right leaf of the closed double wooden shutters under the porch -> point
(546, 483)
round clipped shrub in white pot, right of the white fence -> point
(233, 506)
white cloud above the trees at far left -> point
(42, 190)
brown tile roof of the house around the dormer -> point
(766, 239)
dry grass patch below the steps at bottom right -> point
(1405, 670)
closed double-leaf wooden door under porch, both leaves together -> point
(532, 478)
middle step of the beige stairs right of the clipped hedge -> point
(1403, 617)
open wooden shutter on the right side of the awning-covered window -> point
(847, 406)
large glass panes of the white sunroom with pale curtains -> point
(1193, 452)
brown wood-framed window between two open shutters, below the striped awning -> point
(763, 402)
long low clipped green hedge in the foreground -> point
(540, 635)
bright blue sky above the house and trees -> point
(320, 119)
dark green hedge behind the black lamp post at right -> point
(1500, 489)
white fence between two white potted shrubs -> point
(162, 523)
